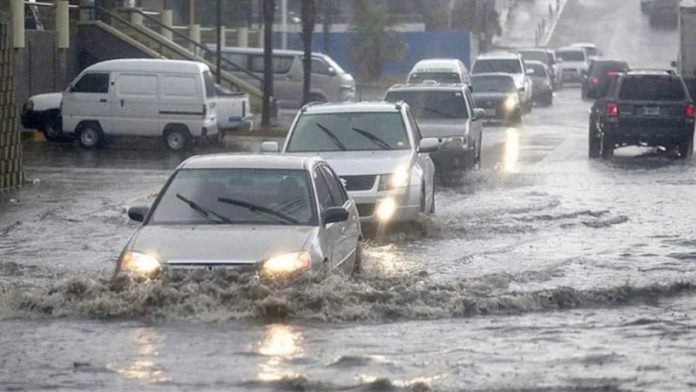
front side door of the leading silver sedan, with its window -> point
(331, 233)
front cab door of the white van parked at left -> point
(88, 100)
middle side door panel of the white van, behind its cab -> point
(135, 106)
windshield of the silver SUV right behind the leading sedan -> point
(363, 131)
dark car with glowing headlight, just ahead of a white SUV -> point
(497, 95)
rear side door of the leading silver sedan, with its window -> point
(349, 231)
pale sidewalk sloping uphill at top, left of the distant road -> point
(531, 23)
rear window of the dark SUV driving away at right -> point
(652, 88)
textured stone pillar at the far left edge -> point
(11, 174)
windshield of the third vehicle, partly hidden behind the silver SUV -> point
(432, 105)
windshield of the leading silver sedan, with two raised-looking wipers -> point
(236, 196)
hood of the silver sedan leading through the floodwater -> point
(219, 244)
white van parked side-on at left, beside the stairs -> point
(171, 99)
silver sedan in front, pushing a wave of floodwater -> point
(278, 215)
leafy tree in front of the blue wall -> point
(372, 43)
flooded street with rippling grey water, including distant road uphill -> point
(542, 271)
